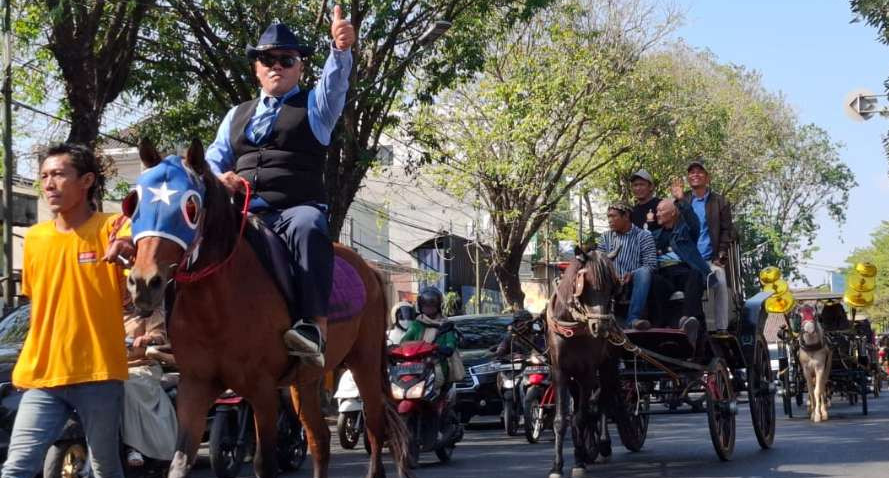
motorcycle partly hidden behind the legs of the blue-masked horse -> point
(233, 437)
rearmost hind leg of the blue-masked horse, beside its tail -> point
(368, 377)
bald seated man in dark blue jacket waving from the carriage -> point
(680, 266)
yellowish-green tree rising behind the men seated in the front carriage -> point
(778, 174)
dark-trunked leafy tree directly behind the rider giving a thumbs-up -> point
(193, 68)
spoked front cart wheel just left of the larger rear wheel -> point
(721, 408)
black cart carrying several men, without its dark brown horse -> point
(664, 373)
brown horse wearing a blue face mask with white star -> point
(226, 327)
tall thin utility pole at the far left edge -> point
(8, 163)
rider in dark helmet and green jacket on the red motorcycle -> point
(426, 328)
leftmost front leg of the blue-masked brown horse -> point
(192, 403)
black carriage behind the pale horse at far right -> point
(854, 369)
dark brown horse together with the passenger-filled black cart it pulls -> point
(656, 371)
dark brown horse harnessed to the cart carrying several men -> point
(578, 321)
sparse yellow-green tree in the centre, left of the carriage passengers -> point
(558, 100)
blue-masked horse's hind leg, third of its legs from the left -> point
(307, 400)
